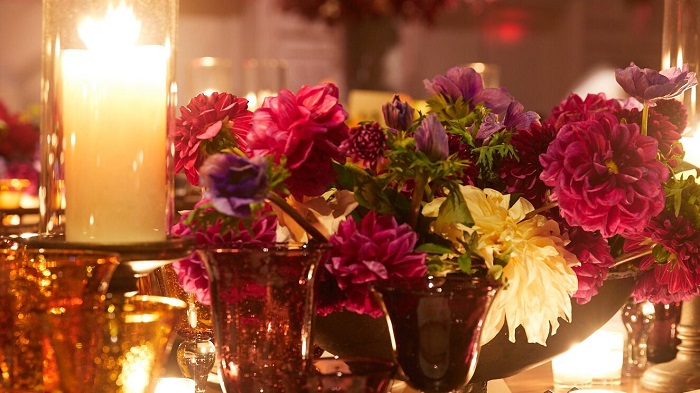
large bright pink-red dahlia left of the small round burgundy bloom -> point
(307, 129)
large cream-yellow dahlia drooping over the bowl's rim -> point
(536, 272)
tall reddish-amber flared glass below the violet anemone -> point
(262, 305)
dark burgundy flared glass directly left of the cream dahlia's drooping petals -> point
(436, 327)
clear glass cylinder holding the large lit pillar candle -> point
(108, 96)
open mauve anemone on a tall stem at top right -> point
(648, 85)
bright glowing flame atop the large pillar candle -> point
(118, 29)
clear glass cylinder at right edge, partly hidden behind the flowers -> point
(681, 45)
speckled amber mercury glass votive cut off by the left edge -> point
(35, 284)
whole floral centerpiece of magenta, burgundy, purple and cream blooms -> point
(476, 185)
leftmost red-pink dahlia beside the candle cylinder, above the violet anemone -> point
(206, 126)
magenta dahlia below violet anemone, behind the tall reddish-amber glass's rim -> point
(191, 271)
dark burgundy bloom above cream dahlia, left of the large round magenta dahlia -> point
(522, 175)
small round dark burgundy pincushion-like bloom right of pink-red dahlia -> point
(366, 143)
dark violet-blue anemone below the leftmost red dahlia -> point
(233, 183)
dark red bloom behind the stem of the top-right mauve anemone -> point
(660, 128)
